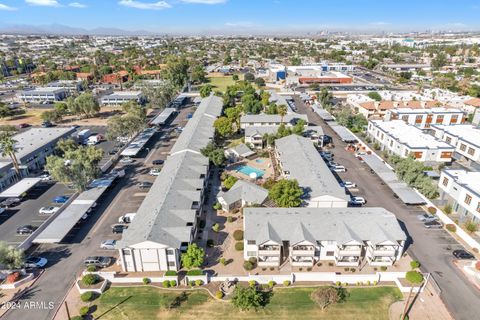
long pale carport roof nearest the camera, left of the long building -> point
(56, 231)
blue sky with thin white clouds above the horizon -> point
(231, 16)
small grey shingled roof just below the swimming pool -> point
(245, 190)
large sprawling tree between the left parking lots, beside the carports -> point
(77, 167)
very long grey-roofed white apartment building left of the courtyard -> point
(166, 221)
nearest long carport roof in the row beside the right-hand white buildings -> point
(399, 188)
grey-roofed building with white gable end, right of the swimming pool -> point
(298, 159)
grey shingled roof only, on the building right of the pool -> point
(302, 160)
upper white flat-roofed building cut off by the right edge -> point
(465, 138)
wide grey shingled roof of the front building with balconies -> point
(334, 224)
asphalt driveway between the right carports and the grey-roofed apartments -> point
(433, 248)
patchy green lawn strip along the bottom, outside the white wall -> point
(292, 303)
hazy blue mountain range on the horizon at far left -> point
(58, 29)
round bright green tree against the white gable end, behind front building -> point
(286, 193)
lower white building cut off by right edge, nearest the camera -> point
(461, 189)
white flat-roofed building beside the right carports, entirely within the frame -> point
(397, 137)
